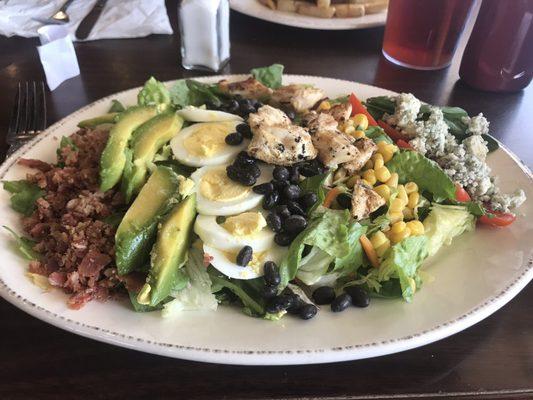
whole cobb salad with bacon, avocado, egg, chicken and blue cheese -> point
(271, 197)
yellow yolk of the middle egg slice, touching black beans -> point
(216, 186)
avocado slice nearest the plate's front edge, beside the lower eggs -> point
(169, 252)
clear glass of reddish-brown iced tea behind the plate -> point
(423, 34)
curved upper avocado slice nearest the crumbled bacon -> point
(113, 158)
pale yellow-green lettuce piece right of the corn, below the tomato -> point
(444, 223)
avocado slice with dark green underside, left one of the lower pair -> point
(138, 229)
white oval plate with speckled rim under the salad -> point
(467, 282)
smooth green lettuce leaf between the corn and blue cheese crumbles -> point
(413, 166)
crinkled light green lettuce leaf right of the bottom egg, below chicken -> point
(335, 233)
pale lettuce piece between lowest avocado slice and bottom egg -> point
(197, 294)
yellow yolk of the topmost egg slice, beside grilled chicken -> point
(208, 139)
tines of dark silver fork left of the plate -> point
(28, 117)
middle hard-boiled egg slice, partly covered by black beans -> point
(219, 195)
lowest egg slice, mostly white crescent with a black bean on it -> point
(225, 261)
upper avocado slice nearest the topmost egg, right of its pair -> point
(145, 143)
